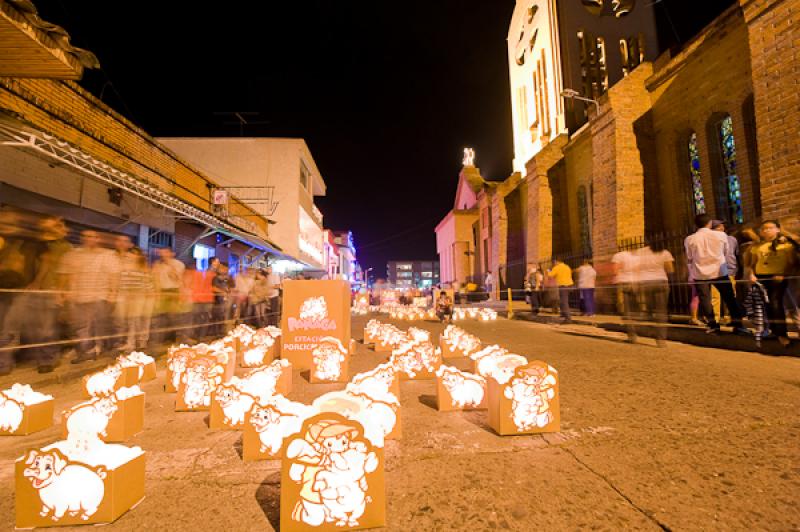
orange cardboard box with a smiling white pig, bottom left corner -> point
(93, 494)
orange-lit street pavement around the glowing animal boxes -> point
(682, 438)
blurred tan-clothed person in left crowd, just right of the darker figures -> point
(92, 279)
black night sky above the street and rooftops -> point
(386, 94)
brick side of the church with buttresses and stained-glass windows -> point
(708, 128)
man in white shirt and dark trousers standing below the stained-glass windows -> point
(706, 253)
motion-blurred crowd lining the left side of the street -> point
(103, 296)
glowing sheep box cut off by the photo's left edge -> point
(24, 411)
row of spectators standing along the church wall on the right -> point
(754, 275)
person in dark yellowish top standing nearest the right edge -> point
(774, 259)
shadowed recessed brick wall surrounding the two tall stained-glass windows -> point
(707, 80)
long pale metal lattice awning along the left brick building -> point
(64, 153)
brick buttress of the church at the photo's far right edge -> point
(773, 27)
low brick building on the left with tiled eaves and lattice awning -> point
(64, 152)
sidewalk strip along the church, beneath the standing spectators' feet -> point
(679, 329)
